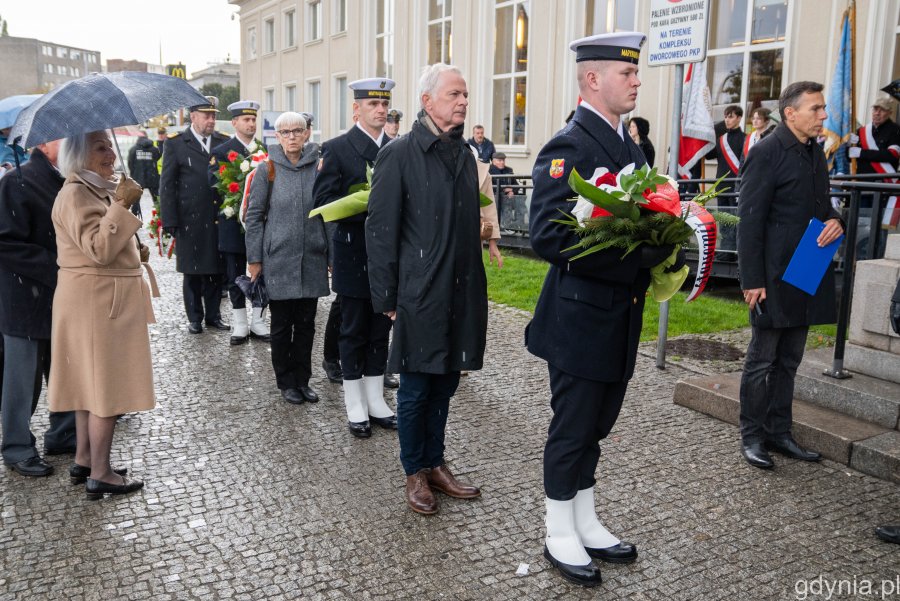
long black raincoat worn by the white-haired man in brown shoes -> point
(424, 247)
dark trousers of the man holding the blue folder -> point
(767, 384)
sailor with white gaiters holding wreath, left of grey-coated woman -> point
(231, 234)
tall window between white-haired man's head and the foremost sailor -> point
(511, 27)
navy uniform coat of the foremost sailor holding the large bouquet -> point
(589, 315)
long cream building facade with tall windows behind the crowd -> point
(300, 55)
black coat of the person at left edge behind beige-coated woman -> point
(28, 248)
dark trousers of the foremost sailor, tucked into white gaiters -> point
(584, 412)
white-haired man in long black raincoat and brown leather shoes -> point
(426, 273)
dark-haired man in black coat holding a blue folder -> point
(784, 185)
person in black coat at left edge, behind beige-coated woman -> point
(27, 283)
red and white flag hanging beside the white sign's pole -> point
(698, 133)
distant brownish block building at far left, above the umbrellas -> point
(34, 67)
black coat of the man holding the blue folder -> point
(784, 184)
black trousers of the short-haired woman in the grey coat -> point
(293, 329)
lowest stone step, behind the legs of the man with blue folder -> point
(865, 446)
